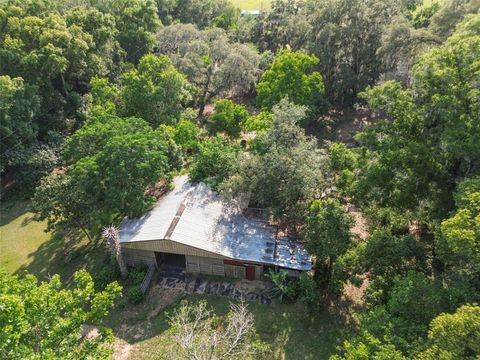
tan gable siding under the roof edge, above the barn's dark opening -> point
(168, 246)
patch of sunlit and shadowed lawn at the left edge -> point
(26, 247)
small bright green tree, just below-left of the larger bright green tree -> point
(228, 117)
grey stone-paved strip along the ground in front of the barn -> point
(175, 278)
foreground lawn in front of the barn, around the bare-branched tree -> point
(290, 330)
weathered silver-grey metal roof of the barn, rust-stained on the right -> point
(194, 215)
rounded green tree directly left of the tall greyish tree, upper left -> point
(155, 91)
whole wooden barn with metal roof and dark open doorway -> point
(194, 228)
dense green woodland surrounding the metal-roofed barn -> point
(104, 102)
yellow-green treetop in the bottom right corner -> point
(454, 336)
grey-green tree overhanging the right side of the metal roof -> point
(286, 174)
